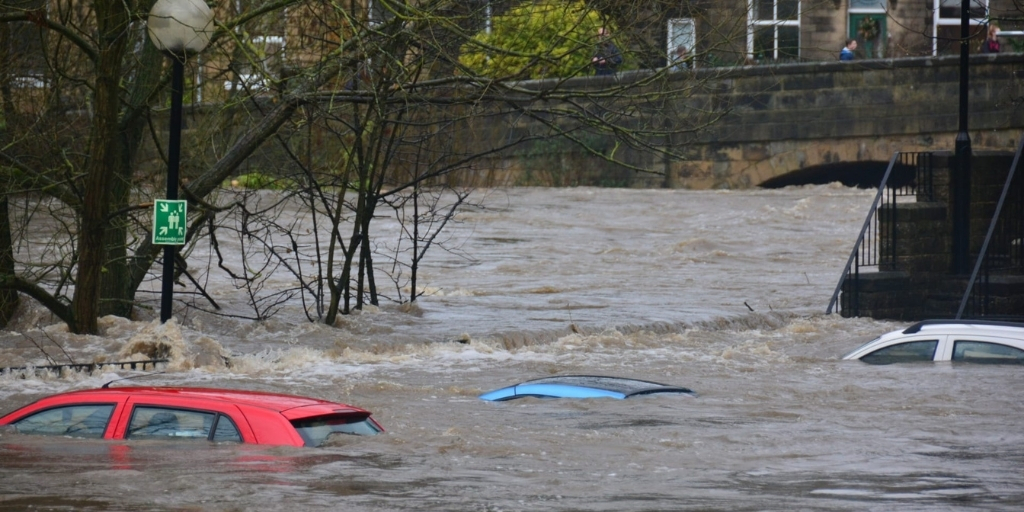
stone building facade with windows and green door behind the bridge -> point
(818, 30)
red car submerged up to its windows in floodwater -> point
(196, 414)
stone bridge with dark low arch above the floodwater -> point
(813, 123)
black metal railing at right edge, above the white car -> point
(1002, 251)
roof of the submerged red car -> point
(274, 402)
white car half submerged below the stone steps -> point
(968, 342)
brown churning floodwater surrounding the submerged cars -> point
(722, 292)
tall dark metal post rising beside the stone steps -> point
(961, 182)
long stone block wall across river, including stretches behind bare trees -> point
(775, 120)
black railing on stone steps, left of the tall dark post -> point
(908, 175)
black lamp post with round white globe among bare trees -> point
(180, 29)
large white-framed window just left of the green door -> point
(774, 33)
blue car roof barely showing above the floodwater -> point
(583, 387)
